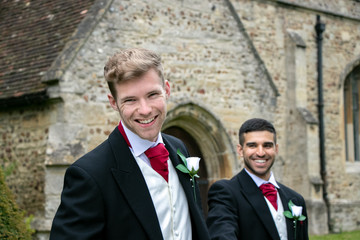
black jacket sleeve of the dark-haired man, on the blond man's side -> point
(222, 220)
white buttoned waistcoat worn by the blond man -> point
(170, 202)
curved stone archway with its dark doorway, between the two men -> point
(204, 137)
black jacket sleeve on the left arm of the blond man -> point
(80, 214)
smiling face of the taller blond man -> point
(141, 103)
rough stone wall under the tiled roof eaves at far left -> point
(24, 136)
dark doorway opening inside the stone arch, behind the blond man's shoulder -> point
(194, 150)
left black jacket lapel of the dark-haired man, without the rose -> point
(255, 198)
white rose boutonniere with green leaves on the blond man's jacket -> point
(190, 166)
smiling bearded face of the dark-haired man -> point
(259, 151)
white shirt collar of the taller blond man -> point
(138, 144)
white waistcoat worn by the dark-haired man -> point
(278, 217)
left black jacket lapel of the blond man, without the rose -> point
(133, 186)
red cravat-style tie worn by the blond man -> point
(158, 157)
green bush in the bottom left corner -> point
(12, 224)
